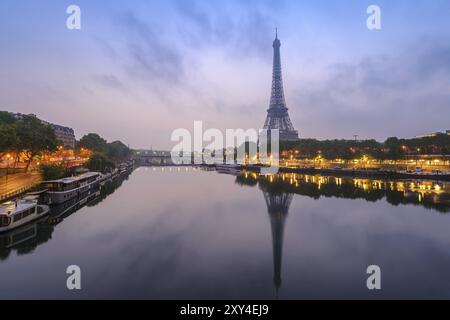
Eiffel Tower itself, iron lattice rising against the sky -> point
(277, 114)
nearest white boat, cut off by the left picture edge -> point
(14, 214)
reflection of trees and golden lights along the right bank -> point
(429, 194)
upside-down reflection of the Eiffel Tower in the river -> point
(278, 208)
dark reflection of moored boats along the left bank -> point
(26, 239)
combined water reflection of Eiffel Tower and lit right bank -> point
(279, 190)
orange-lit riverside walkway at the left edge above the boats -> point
(16, 184)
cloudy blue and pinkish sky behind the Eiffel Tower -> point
(138, 70)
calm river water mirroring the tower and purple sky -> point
(169, 233)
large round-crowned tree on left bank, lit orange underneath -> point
(33, 138)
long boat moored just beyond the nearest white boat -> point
(62, 190)
